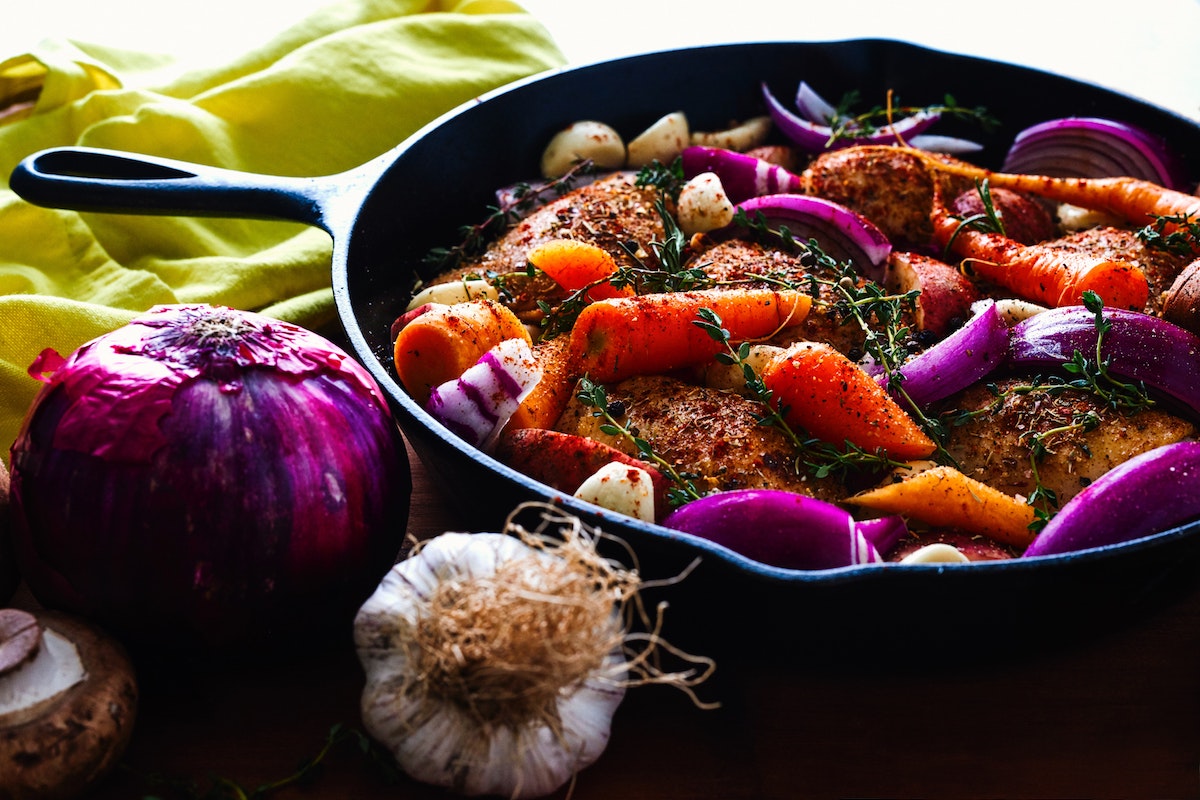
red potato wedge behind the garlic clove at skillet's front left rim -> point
(563, 461)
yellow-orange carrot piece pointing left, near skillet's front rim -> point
(946, 498)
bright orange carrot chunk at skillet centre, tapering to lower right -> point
(836, 401)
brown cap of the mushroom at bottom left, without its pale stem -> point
(73, 739)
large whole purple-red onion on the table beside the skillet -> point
(208, 477)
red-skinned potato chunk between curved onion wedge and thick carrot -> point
(946, 294)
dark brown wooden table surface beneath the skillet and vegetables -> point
(1115, 715)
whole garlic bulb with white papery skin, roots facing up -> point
(436, 723)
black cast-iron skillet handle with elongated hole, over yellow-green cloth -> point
(88, 179)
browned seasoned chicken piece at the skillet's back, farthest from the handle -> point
(890, 187)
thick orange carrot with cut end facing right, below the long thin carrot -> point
(1042, 274)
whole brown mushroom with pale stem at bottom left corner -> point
(68, 703)
